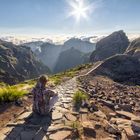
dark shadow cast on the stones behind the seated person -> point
(35, 127)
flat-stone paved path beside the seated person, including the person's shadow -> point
(32, 127)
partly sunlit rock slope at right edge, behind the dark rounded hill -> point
(134, 48)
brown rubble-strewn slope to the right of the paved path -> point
(118, 107)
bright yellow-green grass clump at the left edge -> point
(9, 94)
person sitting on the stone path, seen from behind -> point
(43, 98)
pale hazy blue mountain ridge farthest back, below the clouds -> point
(50, 53)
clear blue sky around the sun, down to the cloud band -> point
(50, 17)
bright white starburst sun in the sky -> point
(79, 9)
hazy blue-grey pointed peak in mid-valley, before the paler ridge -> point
(69, 59)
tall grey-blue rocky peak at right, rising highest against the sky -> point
(116, 43)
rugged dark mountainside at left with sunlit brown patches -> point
(18, 63)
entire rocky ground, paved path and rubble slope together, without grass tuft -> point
(111, 113)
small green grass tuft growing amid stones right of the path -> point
(78, 97)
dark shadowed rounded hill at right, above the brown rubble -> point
(120, 68)
